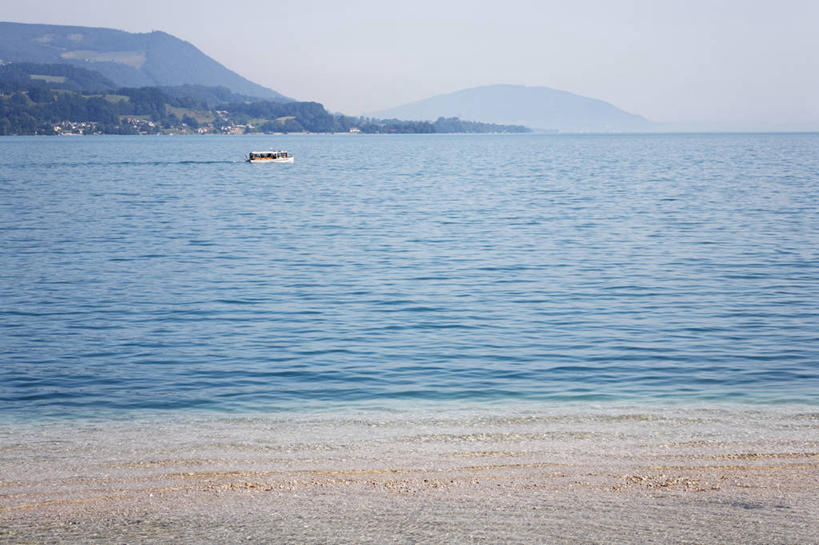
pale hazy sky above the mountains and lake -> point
(743, 64)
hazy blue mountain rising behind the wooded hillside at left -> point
(124, 58)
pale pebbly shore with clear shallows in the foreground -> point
(730, 474)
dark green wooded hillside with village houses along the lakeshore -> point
(45, 107)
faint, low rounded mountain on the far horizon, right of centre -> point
(540, 108)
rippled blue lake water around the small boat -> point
(154, 273)
